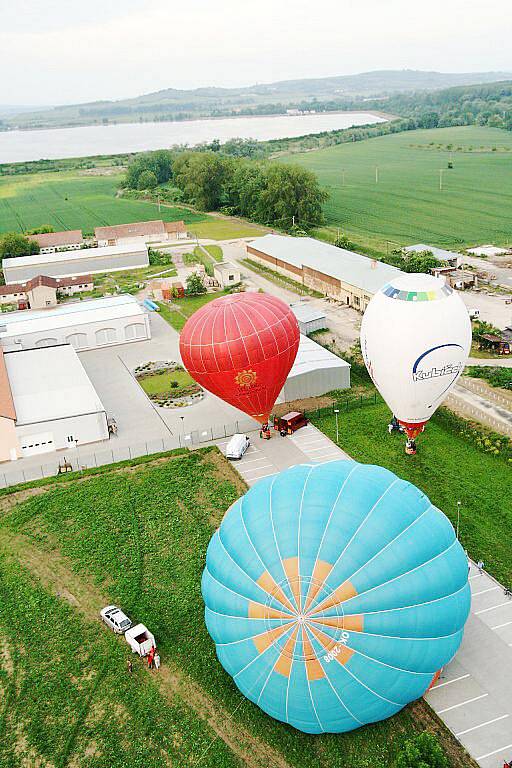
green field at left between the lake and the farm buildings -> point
(82, 200)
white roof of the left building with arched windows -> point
(72, 314)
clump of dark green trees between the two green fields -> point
(275, 194)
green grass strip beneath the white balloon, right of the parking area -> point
(448, 468)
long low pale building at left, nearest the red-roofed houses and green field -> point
(86, 261)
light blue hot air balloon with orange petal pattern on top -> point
(334, 594)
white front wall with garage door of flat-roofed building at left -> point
(58, 434)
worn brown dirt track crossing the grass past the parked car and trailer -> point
(56, 575)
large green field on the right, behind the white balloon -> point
(406, 205)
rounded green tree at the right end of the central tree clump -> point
(291, 195)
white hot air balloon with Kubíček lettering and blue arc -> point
(415, 340)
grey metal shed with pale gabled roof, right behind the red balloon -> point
(314, 372)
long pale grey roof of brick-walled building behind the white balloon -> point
(347, 266)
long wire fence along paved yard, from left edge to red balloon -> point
(84, 457)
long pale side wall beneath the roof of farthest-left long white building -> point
(85, 265)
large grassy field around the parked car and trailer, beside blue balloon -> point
(137, 536)
